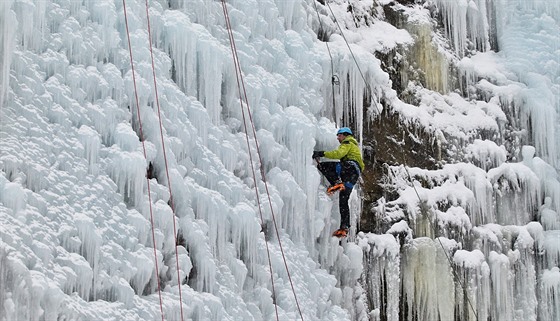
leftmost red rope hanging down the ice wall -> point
(145, 157)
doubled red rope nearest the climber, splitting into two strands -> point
(240, 80)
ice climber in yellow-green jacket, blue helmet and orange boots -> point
(342, 175)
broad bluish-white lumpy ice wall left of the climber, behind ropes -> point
(97, 224)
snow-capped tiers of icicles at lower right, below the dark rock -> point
(501, 259)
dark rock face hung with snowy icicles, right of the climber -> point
(462, 246)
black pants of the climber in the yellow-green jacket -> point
(348, 172)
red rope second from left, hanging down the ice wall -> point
(165, 160)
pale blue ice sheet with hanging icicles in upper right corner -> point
(533, 64)
